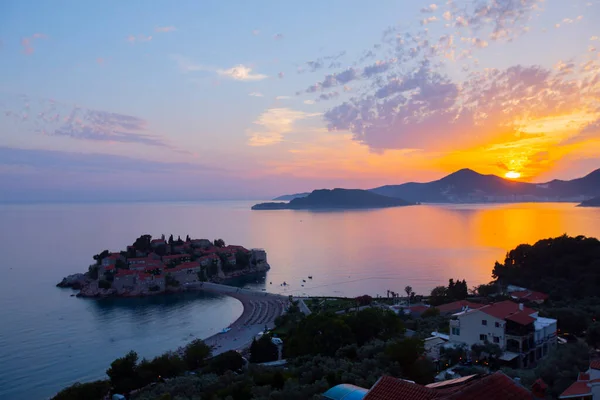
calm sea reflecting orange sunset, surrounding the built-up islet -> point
(49, 339)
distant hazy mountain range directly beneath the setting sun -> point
(468, 186)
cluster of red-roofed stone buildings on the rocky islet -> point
(181, 263)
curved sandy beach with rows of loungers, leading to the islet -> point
(260, 311)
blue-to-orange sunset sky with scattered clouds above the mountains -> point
(162, 100)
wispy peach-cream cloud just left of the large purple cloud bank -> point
(273, 124)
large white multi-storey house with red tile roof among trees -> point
(517, 330)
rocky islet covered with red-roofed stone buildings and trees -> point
(153, 266)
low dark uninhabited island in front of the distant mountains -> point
(336, 199)
